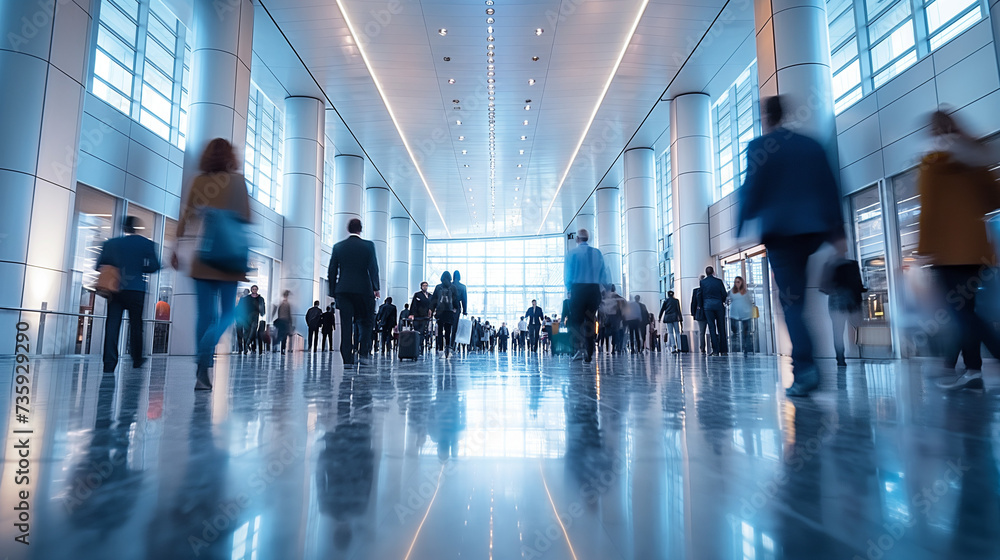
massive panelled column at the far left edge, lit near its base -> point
(43, 69)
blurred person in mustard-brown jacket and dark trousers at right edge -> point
(957, 190)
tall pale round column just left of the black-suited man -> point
(303, 183)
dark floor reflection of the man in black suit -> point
(346, 465)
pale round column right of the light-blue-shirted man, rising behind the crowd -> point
(640, 220)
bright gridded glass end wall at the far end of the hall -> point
(503, 275)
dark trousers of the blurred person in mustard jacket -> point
(959, 284)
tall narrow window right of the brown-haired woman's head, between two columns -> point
(263, 155)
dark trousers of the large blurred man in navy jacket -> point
(788, 257)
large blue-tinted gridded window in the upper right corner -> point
(895, 35)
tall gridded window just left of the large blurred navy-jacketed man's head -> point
(737, 122)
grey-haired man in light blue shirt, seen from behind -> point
(585, 274)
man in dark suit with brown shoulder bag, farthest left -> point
(134, 256)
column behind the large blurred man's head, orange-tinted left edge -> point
(793, 60)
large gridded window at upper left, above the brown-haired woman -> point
(139, 58)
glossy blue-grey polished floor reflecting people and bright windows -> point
(503, 457)
